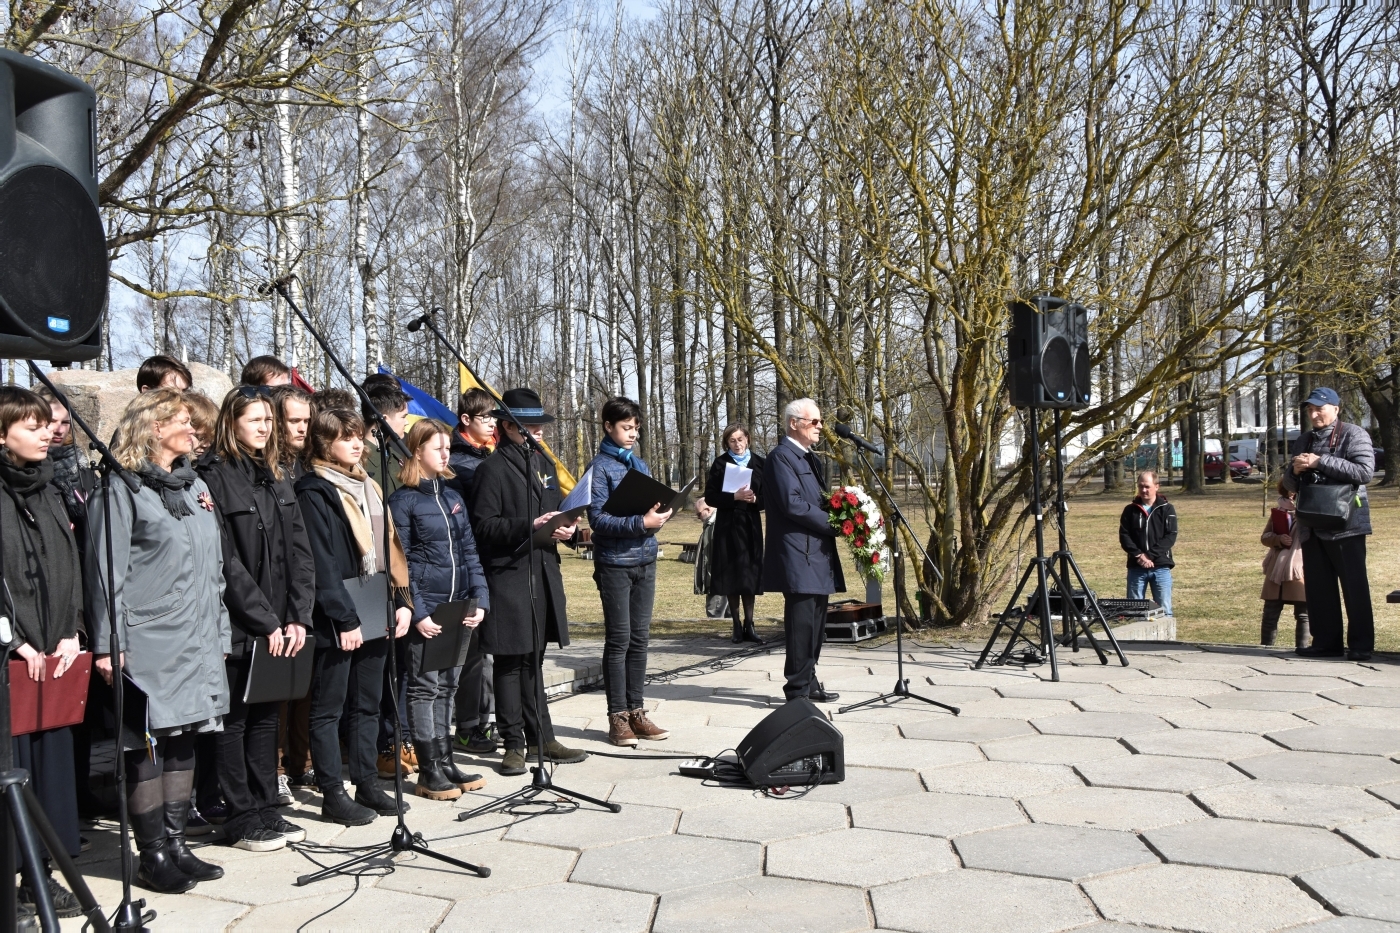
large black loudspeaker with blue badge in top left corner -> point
(52, 243)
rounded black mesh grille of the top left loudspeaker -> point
(52, 256)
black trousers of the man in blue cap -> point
(1326, 564)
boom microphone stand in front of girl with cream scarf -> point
(401, 840)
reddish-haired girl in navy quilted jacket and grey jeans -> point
(443, 568)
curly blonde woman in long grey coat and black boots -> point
(169, 576)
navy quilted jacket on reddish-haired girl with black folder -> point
(437, 539)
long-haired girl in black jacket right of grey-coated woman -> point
(269, 589)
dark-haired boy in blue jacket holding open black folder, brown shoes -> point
(625, 569)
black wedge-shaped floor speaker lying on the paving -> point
(790, 745)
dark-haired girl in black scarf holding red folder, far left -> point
(45, 588)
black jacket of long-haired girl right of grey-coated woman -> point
(269, 571)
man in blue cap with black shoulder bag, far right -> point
(1336, 455)
